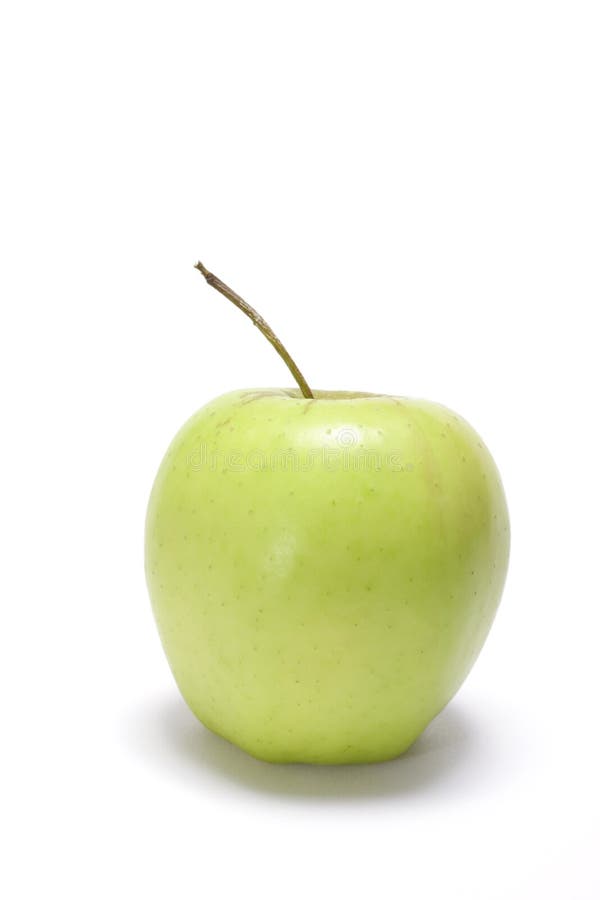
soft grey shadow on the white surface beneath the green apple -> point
(168, 735)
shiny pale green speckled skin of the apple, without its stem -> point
(324, 572)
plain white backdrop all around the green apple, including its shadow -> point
(410, 193)
